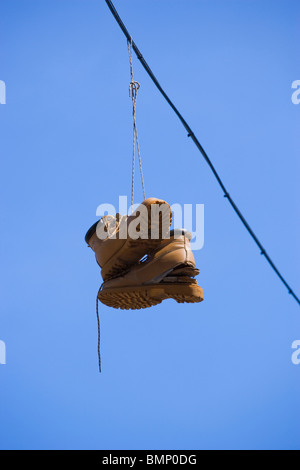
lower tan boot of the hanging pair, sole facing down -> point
(167, 273)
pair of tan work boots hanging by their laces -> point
(143, 262)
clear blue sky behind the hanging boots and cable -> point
(217, 375)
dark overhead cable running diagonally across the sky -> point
(199, 146)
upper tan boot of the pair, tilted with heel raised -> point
(120, 242)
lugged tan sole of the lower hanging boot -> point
(134, 298)
